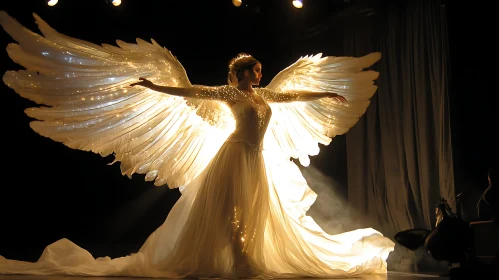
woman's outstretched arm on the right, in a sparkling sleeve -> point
(278, 96)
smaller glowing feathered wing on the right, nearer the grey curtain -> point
(297, 128)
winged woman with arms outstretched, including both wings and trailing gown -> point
(236, 217)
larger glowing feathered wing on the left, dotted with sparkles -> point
(91, 107)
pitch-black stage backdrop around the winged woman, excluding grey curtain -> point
(50, 191)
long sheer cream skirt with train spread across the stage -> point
(229, 222)
